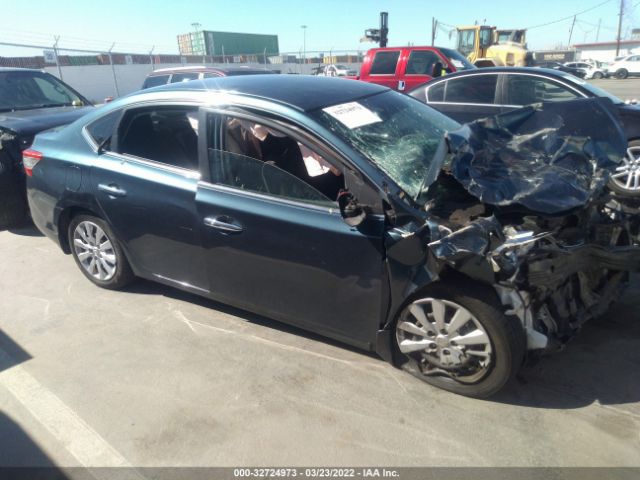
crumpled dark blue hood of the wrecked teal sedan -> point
(549, 158)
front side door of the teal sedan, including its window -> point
(277, 245)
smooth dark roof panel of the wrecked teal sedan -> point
(302, 92)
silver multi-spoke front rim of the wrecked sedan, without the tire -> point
(445, 339)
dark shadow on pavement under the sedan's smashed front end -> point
(601, 365)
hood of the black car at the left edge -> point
(29, 122)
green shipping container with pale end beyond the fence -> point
(205, 42)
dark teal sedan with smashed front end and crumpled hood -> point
(353, 211)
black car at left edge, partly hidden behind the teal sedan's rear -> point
(30, 101)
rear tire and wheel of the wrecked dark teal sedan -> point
(98, 253)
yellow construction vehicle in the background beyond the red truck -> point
(487, 46)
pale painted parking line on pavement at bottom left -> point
(86, 445)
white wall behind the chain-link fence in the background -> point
(96, 81)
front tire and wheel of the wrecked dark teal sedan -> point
(481, 374)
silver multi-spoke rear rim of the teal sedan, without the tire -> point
(94, 251)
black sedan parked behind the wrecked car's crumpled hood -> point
(470, 95)
